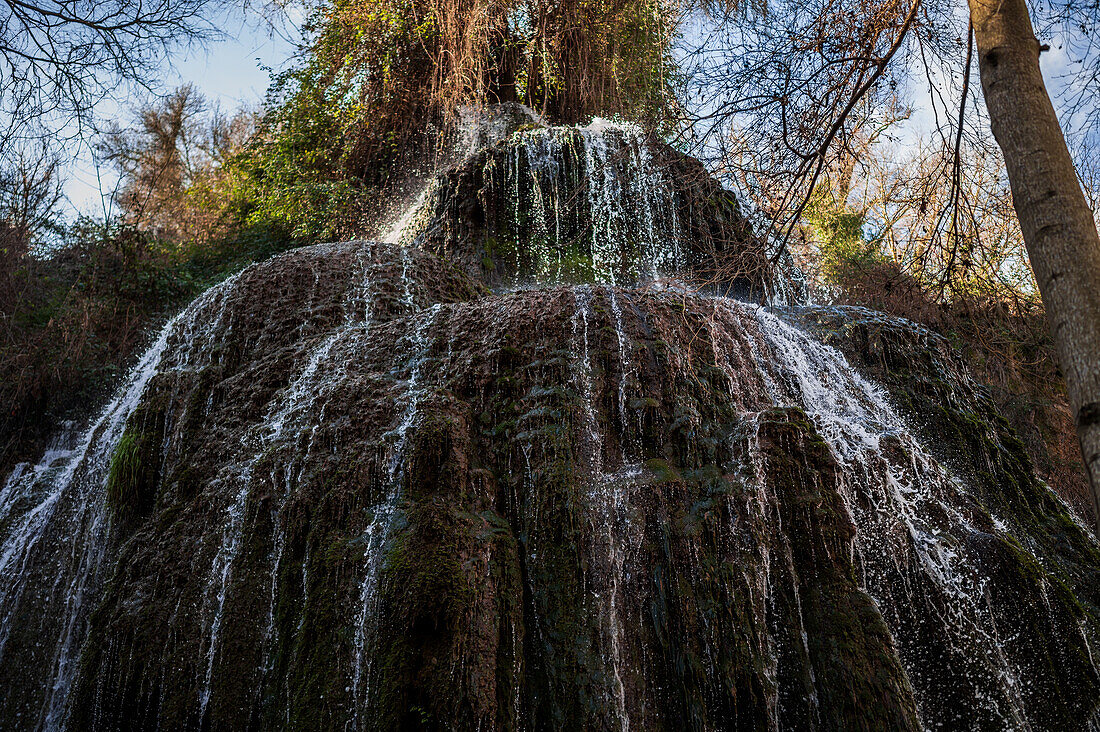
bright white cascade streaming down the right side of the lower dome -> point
(904, 505)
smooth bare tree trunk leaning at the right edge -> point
(1059, 228)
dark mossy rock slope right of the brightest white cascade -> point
(1043, 572)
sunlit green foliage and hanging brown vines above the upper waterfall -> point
(382, 82)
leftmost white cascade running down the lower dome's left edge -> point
(54, 516)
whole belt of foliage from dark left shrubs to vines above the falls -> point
(378, 90)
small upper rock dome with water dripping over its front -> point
(598, 204)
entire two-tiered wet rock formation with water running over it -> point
(454, 485)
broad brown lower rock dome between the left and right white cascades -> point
(542, 509)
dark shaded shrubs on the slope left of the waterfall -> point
(79, 316)
